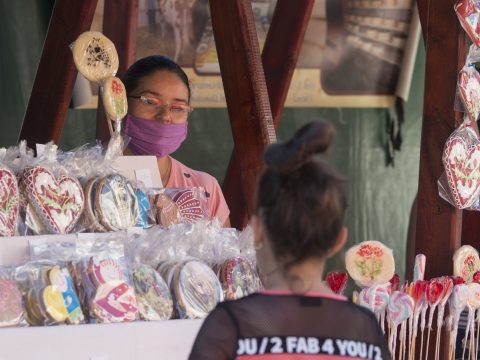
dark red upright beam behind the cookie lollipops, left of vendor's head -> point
(120, 26)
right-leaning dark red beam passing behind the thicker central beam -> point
(279, 58)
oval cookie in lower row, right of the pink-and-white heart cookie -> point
(153, 295)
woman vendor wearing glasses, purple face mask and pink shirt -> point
(159, 95)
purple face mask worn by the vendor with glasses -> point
(150, 137)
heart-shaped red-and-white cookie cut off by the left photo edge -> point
(9, 202)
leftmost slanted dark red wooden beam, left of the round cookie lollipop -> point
(52, 89)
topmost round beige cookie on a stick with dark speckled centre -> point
(95, 56)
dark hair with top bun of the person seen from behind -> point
(300, 199)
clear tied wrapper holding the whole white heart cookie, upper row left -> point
(54, 196)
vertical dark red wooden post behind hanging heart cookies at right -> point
(439, 224)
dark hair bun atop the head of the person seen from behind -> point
(312, 138)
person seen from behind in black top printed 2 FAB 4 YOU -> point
(300, 207)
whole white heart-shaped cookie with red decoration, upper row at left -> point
(58, 202)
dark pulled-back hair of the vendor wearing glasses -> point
(149, 65)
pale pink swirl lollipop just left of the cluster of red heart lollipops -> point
(399, 309)
